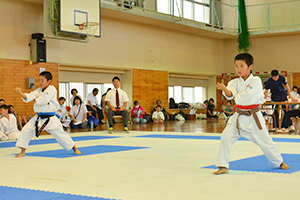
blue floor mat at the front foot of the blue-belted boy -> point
(85, 151)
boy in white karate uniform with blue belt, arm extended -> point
(45, 105)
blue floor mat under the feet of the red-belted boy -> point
(260, 164)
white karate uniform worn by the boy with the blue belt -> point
(45, 102)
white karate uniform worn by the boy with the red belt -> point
(245, 93)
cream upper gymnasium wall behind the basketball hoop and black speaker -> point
(123, 44)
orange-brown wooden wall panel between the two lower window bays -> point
(149, 86)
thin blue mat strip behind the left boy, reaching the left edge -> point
(52, 140)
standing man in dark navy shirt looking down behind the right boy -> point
(276, 84)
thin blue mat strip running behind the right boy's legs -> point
(203, 137)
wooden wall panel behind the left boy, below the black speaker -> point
(14, 73)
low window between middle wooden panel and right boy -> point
(187, 94)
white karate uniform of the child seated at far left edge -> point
(9, 128)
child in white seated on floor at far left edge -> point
(8, 125)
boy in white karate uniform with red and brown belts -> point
(247, 121)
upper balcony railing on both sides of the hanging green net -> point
(261, 17)
